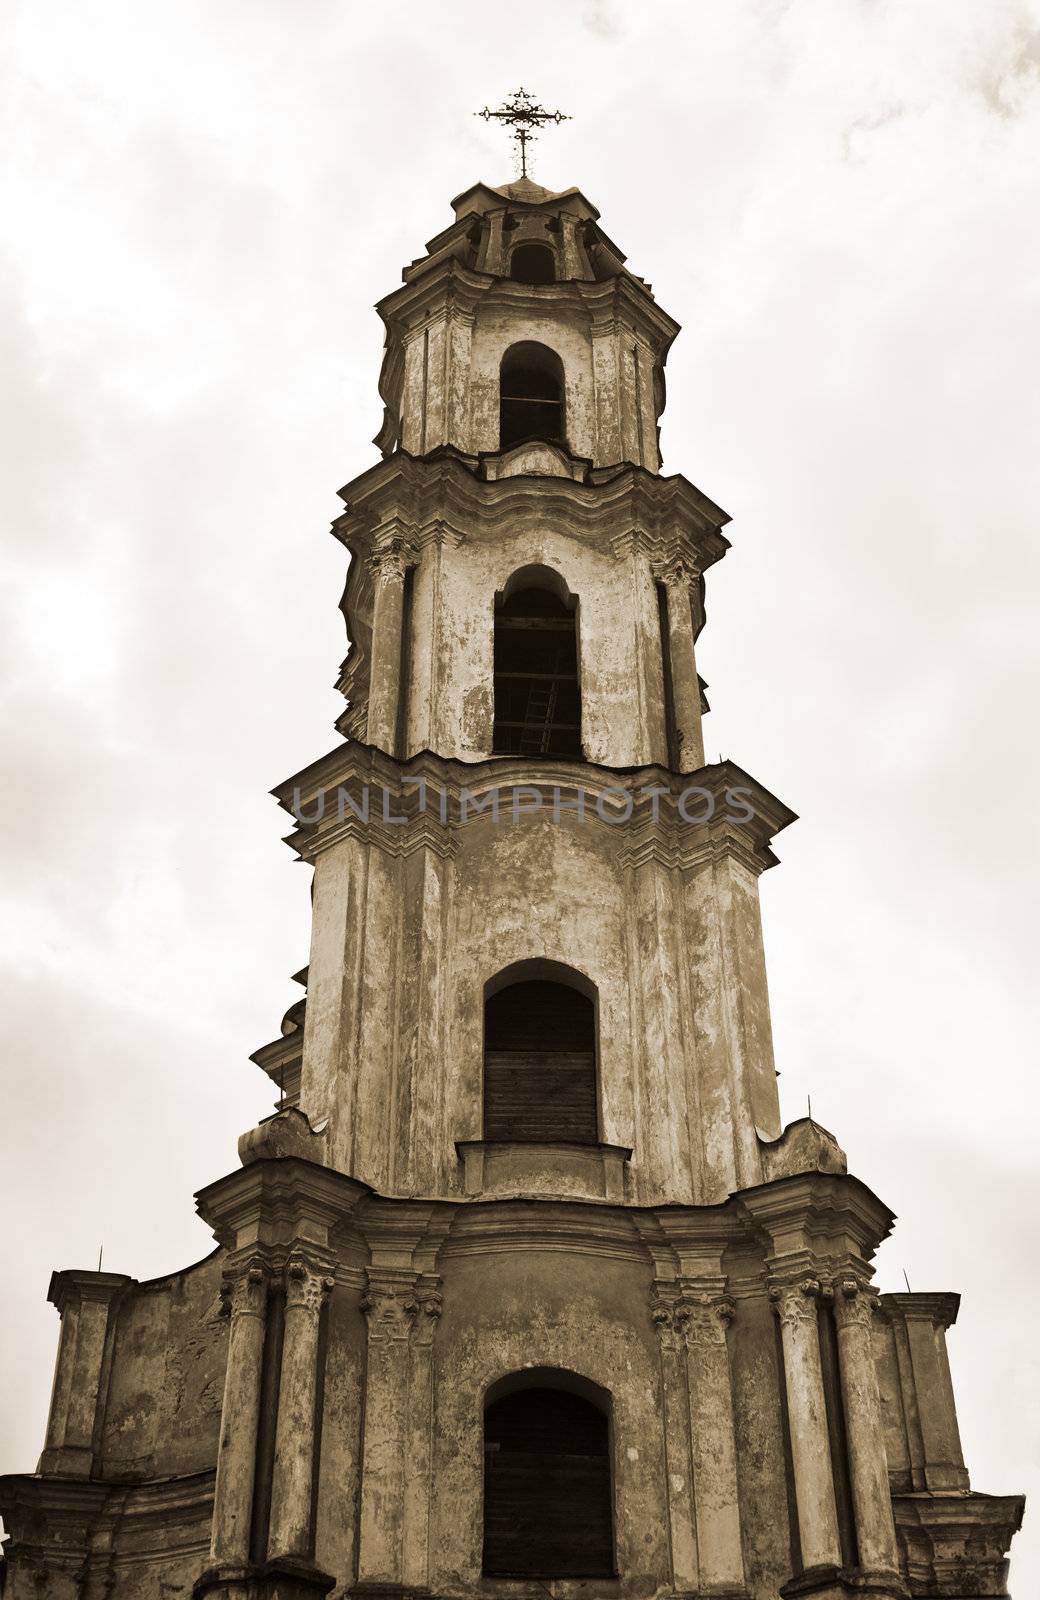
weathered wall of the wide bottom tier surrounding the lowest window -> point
(670, 1313)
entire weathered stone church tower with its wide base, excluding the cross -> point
(524, 1289)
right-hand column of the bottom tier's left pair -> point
(306, 1286)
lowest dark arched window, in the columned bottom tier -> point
(546, 1479)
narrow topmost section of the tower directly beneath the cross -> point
(522, 324)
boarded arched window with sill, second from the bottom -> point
(540, 1062)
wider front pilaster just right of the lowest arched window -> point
(714, 1442)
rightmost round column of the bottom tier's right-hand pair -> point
(876, 1535)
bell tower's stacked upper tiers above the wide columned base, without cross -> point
(524, 599)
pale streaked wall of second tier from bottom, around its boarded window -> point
(409, 929)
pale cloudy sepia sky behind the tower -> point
(199, 206)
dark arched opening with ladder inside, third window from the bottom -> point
(537, 692)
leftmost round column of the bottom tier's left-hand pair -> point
(246, 1300)
